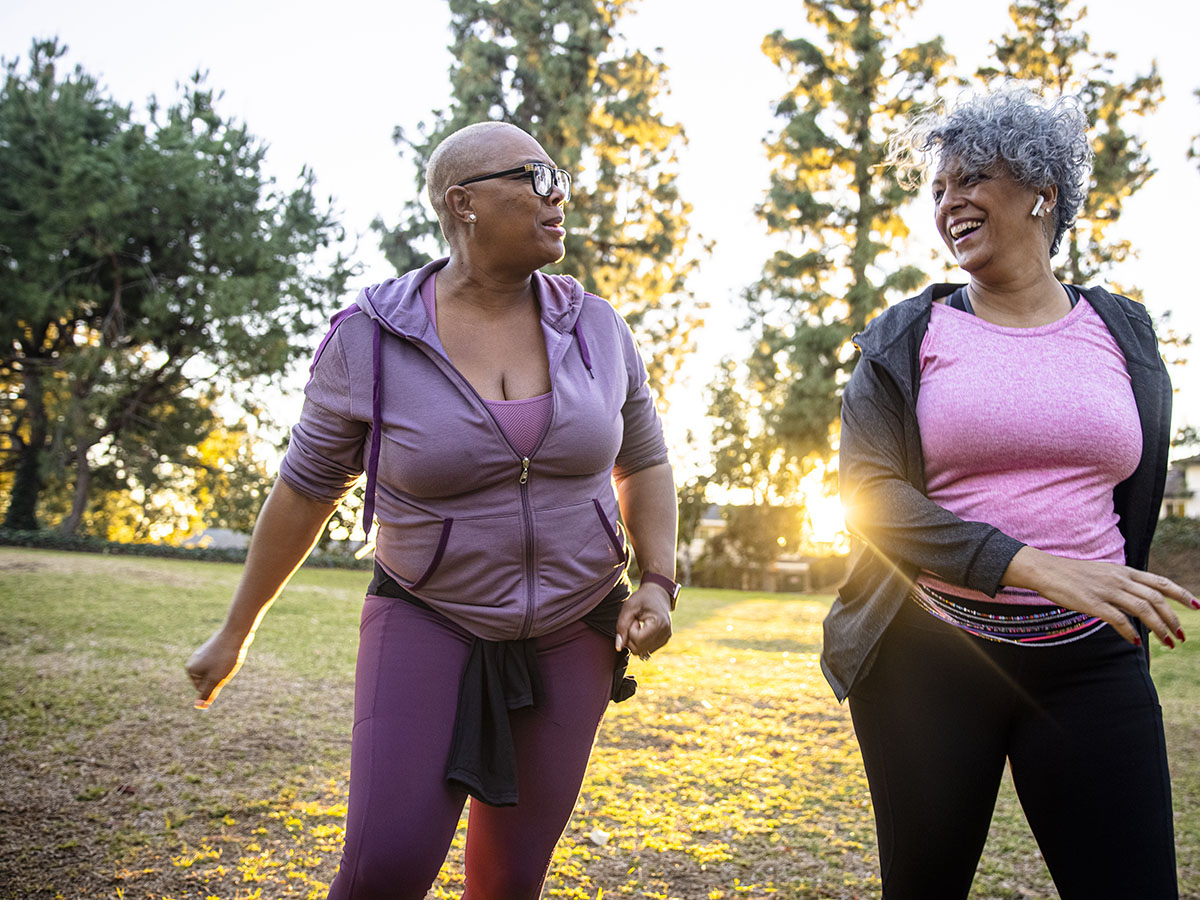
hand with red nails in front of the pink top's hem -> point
(1107, 591)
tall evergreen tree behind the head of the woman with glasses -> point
(559, 70)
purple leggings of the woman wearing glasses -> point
(403, 814)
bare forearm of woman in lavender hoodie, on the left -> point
(285, 533)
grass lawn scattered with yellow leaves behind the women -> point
(731, 775)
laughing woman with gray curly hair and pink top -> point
(1004, 451)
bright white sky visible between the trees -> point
(325, 86)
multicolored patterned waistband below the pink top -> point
(1040, 627)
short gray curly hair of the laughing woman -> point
(1041, 142)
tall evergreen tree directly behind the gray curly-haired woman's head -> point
(1048, 44)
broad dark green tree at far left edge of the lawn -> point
(143, 265)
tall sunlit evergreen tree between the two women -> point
(836, 211)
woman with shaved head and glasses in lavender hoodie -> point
(503, 419)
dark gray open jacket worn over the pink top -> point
(898, 531)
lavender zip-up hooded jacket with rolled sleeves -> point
(506, 547)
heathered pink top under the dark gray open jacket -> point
(1029, 430)
